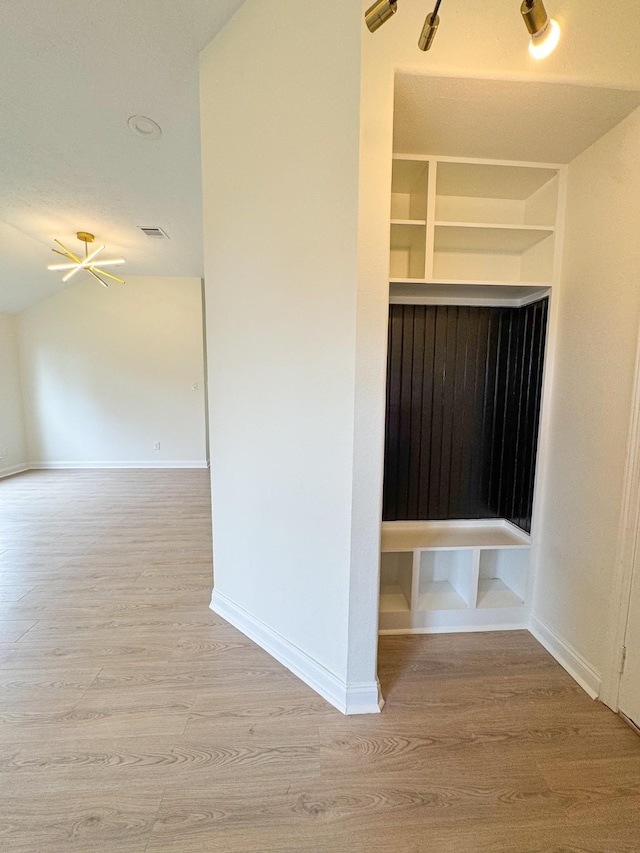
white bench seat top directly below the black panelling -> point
(416, 535)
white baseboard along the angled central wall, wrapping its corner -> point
(347, 698)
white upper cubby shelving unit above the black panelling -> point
(473, 221)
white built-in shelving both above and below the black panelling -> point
(465, 232)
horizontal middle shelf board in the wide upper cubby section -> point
(481, 237)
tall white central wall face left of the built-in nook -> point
(280, 134)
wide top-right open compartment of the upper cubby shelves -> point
(485, 193)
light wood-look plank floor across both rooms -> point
(133, 719)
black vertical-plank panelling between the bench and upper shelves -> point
(463, 401)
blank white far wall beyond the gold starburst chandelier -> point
(108, 373)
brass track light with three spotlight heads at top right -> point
(545, 31)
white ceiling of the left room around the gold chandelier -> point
(72, 74)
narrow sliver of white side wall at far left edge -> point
(12, 437)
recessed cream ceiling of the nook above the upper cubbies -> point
(503, 119)
